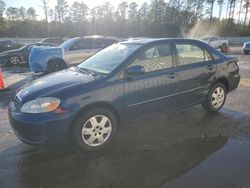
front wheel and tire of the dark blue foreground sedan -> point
(90, 134)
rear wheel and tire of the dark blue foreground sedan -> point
(212, 104)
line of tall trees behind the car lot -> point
(171, 18)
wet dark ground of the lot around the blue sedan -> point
(171, 150)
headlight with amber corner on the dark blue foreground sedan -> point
(40, 105)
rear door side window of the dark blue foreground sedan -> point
(190, 54)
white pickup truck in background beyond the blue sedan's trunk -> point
(216, 42)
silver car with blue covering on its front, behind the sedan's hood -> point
(71, 52)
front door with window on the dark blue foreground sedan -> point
(156, 90)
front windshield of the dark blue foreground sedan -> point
(109, 58)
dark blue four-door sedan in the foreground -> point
(122, 83)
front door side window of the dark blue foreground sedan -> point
(155, 58)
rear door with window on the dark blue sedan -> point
(197, 68)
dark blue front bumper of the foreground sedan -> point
(40, 129)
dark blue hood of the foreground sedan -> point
(54, 82)
